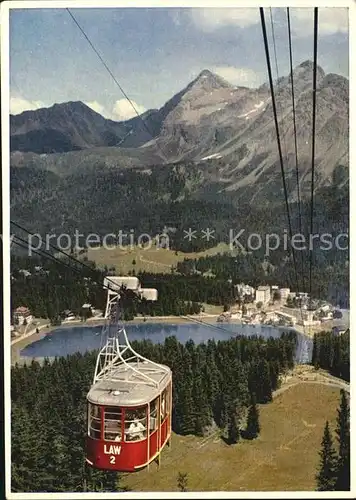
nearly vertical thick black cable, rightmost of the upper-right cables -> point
(313, 145)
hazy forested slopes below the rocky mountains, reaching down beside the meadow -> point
(180, 197)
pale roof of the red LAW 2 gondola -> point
(125, 387)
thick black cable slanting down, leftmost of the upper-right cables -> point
(264, 32)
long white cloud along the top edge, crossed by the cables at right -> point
(331, 19)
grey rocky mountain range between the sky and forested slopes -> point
(227, 131)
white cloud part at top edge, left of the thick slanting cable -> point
(210, 19)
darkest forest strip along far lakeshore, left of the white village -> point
(55, 288)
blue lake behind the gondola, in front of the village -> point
(68, 340)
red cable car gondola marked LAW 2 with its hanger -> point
(130, 401)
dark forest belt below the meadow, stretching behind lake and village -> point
(55, 287)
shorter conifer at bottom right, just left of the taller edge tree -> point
(326, 476)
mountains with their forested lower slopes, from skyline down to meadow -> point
(212, 143)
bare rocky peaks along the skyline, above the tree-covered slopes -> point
(208, 120)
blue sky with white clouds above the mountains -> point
(155, 52)
